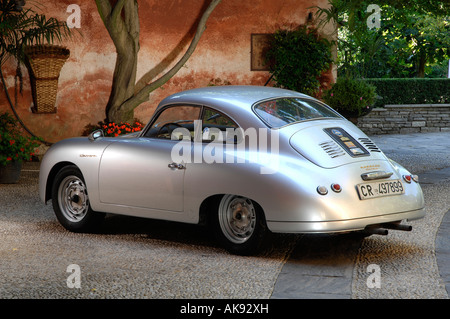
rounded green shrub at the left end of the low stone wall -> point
(350, 97)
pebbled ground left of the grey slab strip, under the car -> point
(129, 258)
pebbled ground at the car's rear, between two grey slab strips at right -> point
(407, 259)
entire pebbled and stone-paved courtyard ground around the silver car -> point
(139, 258)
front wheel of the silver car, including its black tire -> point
(70, 202)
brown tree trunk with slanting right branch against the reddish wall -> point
(122, 22)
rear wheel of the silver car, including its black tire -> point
(238, 224)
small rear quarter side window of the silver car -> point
(217, 126)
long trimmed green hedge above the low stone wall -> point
(411, 91)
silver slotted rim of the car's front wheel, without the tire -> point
(73, 198)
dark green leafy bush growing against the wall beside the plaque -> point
(297, 59)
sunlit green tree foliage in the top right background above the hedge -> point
(413, 41)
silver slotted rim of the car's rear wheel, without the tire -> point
(237, 218)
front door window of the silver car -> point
(172, 118)
